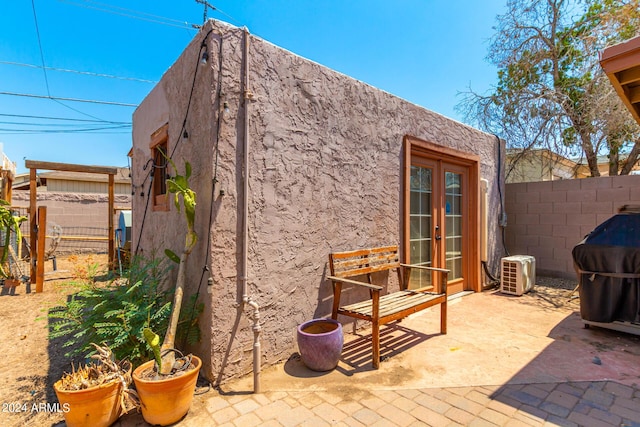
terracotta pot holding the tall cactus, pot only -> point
(167, 401)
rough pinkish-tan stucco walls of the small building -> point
(325, 156)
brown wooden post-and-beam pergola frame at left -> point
(38, 216)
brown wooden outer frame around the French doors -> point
(413, 146)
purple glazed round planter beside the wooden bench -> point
(320, 343)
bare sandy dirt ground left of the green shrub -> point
(32, 362)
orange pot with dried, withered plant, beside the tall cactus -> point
(97, 394)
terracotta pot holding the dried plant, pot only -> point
(96, 406)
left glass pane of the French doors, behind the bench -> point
(420, 225)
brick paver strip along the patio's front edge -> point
(597, 404)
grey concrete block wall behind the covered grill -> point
(547, 219)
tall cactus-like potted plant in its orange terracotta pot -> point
(166, 385)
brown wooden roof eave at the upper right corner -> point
(621, 63)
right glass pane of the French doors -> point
(453, 220)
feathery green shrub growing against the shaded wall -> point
(117, 313)
